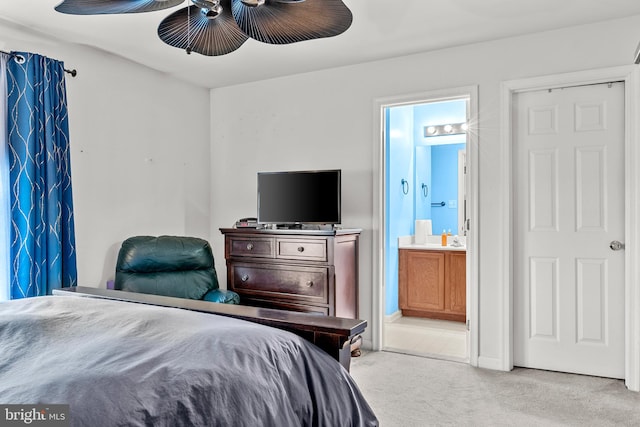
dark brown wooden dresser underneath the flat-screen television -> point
(313, 271)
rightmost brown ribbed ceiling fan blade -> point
(287, 22)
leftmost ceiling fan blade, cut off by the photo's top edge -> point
(102, 7)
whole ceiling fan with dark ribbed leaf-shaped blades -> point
(218, 27)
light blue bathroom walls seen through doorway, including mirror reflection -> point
(407, 152)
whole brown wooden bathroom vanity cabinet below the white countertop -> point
(432, 283)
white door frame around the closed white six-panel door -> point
(630, 76)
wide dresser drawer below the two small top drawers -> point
(309, 284)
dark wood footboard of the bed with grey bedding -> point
(331, 334)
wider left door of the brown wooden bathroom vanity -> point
(421, 281)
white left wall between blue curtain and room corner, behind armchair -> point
(139, 151)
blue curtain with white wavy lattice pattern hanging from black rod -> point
(42, 230)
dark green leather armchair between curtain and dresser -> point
(174, 266)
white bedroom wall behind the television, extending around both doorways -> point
(325, 120)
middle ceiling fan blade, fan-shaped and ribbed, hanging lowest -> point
(211, 37)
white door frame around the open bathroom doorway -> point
(378, 235)
